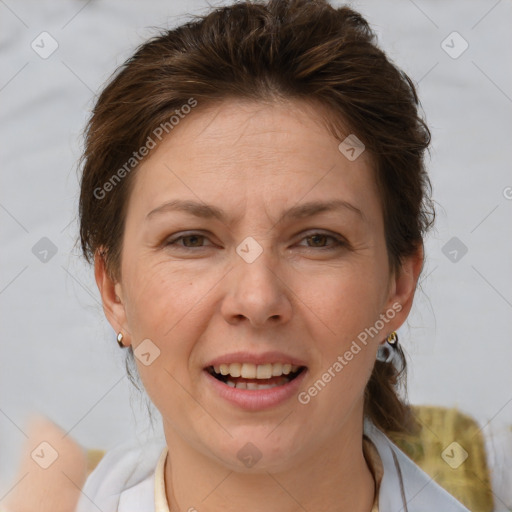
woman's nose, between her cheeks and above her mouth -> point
(257, 292)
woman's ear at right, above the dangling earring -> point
(402, 287)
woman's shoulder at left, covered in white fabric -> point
(127, 469)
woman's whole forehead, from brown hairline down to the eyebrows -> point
(250, 153)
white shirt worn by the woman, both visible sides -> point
(129, 478)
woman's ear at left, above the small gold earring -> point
(111, 296)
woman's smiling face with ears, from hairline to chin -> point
(226, 261)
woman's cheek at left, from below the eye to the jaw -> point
(168, 306)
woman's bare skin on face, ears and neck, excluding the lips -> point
(303, 296)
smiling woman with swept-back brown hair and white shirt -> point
(254, 199)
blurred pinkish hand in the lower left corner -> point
(56, 488)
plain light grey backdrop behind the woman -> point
(58, 355)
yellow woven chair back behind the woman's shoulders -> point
(432, 448)
